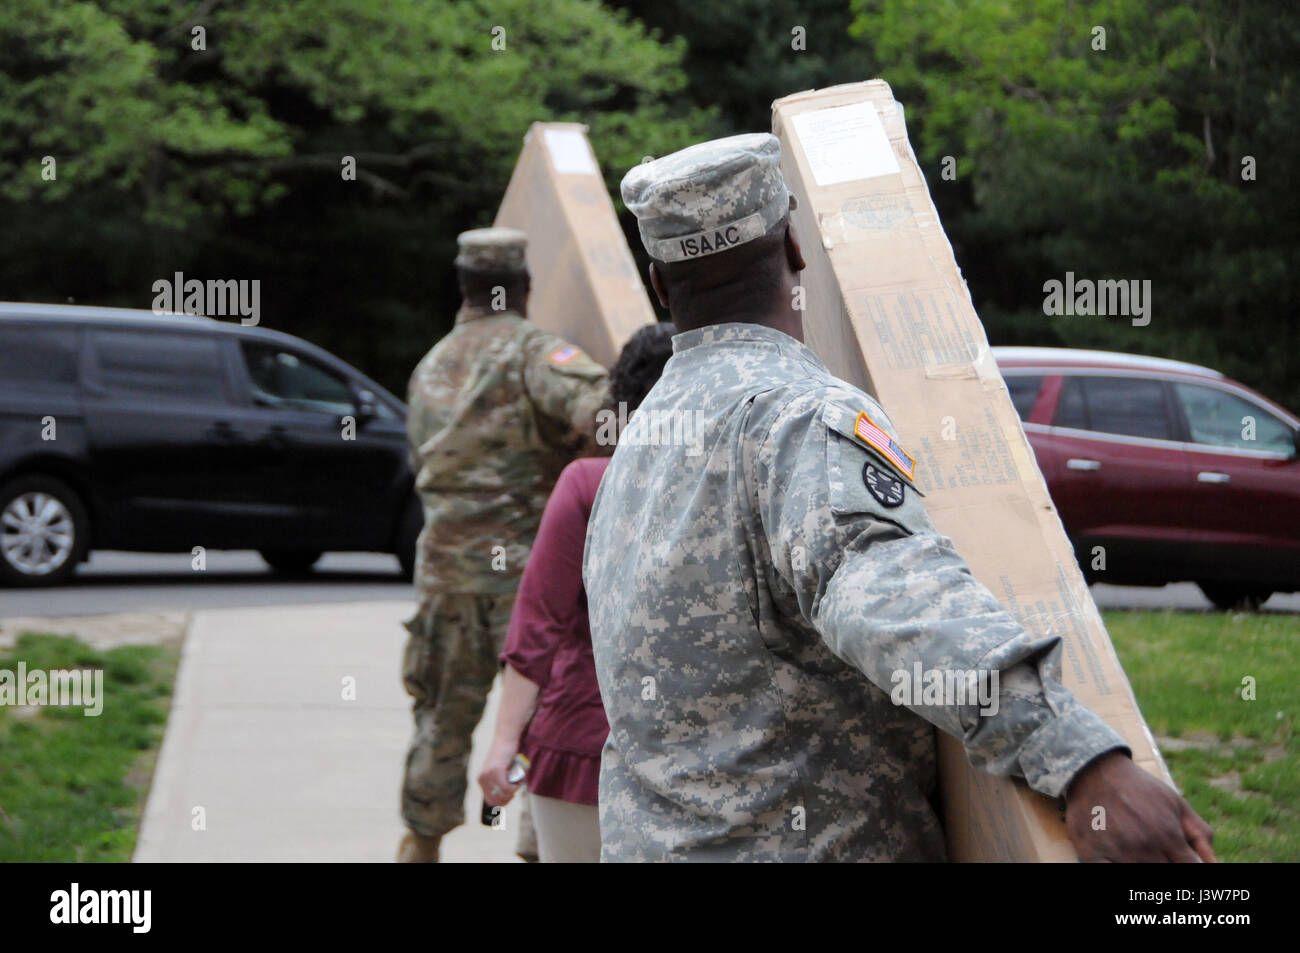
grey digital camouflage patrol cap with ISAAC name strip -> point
(709, 198)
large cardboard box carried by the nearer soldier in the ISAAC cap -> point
(889, 311)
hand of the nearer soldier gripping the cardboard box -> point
(1143, 820)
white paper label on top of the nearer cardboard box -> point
(846, 144)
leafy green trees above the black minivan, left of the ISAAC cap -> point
(211, 138)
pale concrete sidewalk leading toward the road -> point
(281, 765)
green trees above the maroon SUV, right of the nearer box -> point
(1123, 161)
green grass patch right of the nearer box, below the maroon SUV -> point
(1240, 765)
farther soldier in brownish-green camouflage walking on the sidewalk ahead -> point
(497, 410)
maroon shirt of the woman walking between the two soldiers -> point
(551, 644)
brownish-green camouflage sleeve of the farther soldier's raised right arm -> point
(566, 388)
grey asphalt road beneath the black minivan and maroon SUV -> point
(135, 582)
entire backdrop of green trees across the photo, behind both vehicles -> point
(1124, 162)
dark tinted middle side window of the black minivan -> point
(183, 367)
